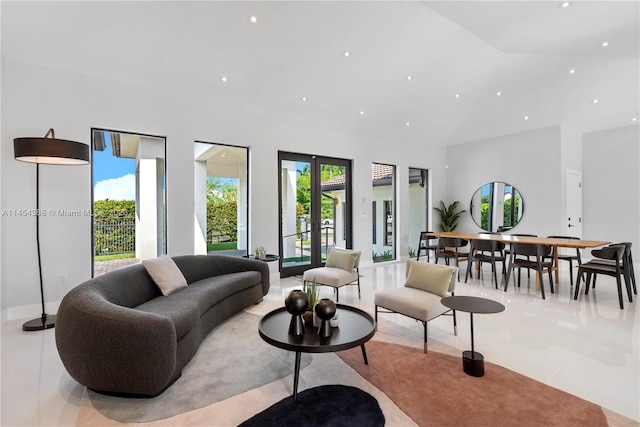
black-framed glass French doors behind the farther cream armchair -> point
(315, 210)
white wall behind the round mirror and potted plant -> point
(530, 161)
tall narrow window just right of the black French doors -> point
(384, 212)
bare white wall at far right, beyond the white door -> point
(611, 186)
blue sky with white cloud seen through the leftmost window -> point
(114, 177)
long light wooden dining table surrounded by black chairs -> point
(554, 242)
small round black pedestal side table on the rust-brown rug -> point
(472, 361)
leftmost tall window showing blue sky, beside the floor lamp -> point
(129, 222)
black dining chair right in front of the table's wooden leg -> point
(539, 264)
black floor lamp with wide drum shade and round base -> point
(53, 151)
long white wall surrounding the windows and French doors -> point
(35, 99)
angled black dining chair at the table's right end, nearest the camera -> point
(613, 253)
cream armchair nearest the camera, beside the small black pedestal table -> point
(426, 284)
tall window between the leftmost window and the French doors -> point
(221, 199)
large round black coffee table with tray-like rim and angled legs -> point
(356, 327)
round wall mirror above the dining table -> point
(495, 222)
